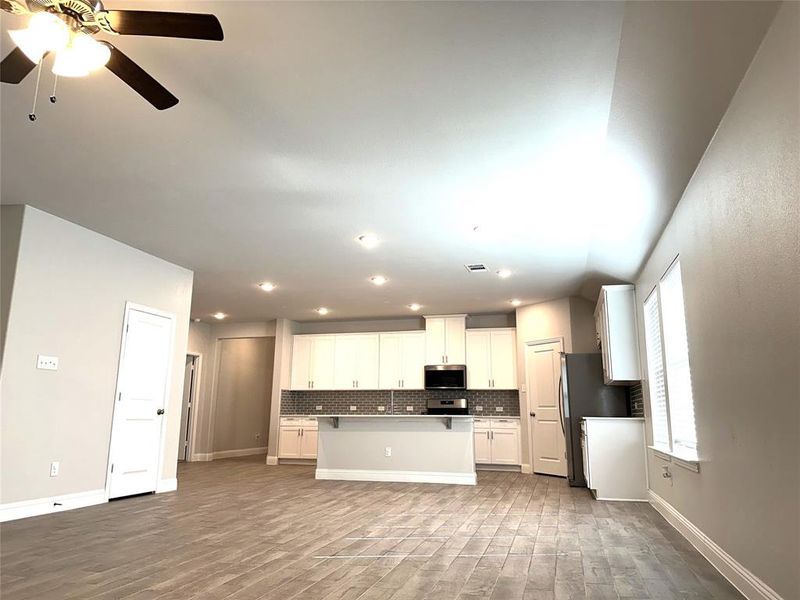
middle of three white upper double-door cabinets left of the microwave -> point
(356, 361)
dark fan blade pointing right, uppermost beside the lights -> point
(165, 24)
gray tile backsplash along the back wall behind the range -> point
(368, 402)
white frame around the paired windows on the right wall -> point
(667, 452)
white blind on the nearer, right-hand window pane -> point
(676, 359)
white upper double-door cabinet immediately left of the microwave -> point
(402, 361)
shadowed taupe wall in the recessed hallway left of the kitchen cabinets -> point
(244, 387)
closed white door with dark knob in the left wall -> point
(141, 399)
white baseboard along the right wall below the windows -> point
(740, 577)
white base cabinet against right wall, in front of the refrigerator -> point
(614, 457)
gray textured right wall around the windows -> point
(737, 230)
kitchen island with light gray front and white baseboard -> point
(403, 448)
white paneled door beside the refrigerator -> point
(543, 362)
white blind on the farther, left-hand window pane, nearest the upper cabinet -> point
(655, 369)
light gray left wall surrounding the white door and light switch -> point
(69, 300)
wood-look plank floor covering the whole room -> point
(240, 530)
